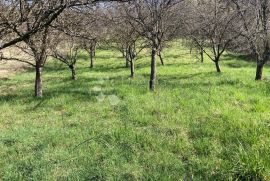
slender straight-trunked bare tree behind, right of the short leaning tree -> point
(87, 24)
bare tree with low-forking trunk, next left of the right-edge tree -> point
(212, 25)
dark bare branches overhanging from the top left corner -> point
(16, 15)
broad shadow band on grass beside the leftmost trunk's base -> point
(82, 90)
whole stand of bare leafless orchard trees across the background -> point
(62, 28)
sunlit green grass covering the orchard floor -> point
(197, 125)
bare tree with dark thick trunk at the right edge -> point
(254, 18)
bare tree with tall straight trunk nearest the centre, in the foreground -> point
(153, 20)
